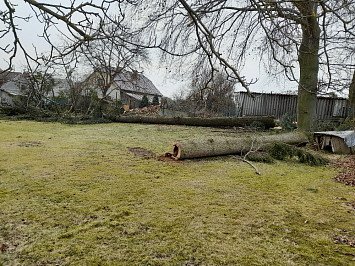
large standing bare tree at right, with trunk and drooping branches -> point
(290, 31)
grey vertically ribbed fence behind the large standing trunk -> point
(279, 104)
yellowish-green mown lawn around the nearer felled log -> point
(76, 194)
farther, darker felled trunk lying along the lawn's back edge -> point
(267, 121)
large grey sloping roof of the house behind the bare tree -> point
(135, 83)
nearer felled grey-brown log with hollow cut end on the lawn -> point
(196, 148)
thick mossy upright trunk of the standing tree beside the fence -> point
(309, 65)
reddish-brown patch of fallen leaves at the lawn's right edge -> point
(347, 168)
